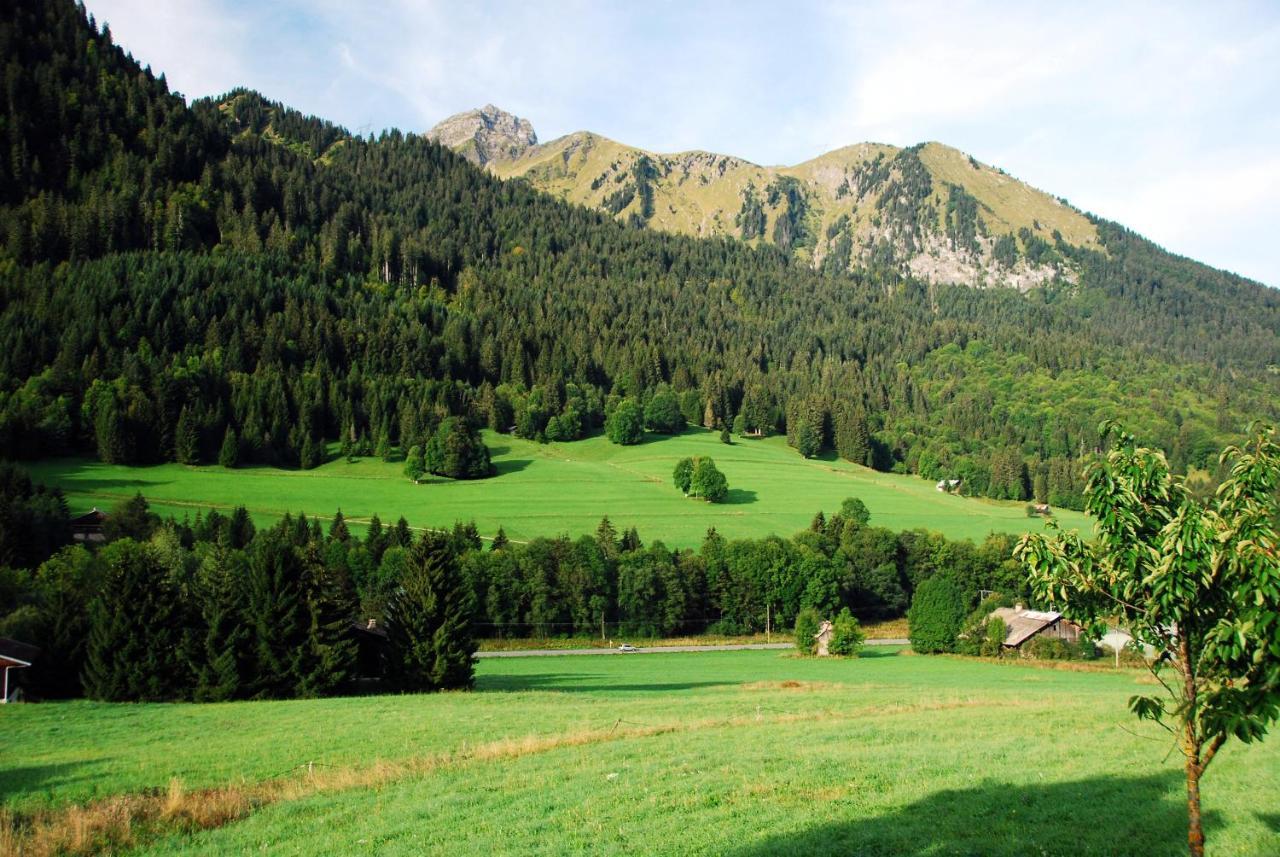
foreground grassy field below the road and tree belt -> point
(716, 754)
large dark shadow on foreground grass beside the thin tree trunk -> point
(1105, 815)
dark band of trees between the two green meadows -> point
(218, 609)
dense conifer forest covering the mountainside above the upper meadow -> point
(231, 281)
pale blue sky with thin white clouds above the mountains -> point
(1164, 117)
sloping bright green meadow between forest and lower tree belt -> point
(554, 489)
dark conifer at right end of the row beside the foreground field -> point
(429, 620)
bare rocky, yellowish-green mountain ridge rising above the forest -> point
(931, 212)
